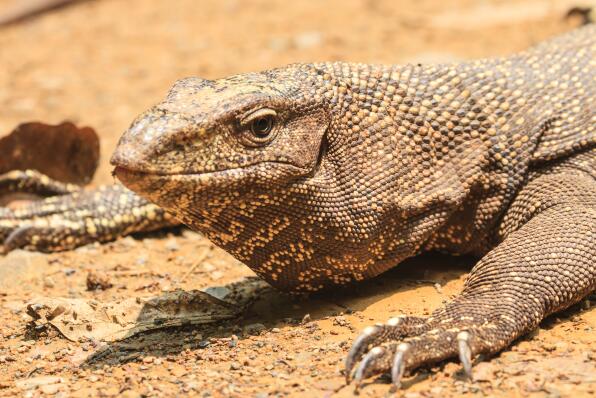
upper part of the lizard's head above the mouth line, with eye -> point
(236, 123)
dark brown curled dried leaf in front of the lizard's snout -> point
(64, 152)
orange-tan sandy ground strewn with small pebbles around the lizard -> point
(102, 62)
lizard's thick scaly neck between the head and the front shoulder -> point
(429, 147)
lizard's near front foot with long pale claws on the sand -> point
(464, 329)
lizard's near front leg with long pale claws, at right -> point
(545, 263)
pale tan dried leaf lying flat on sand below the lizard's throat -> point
(81, 319)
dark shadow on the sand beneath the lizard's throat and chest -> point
(273, 308)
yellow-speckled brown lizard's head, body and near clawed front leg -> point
(324, 174)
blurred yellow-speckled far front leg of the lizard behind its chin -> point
(74, 216)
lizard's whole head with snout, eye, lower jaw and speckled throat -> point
(225, 156)
